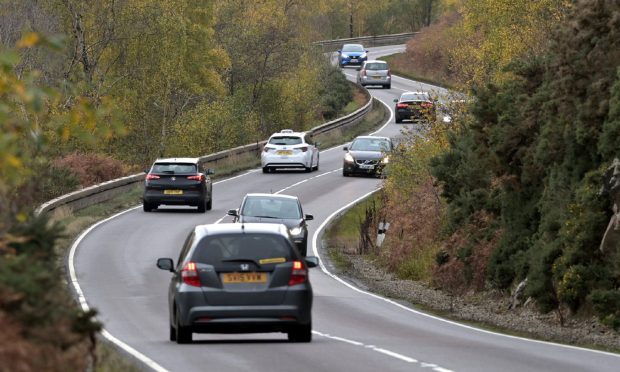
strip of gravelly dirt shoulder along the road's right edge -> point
(488, 310)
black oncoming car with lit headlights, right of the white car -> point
(367, 155)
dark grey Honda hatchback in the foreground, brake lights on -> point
(239, 278)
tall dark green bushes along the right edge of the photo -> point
(533, 156)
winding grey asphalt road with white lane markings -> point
(113, 268)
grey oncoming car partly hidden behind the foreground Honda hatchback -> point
(276, 208)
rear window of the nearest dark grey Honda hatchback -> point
(257, 247)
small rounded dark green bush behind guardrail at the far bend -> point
(335, 93)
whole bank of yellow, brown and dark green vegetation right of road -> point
(512, 190)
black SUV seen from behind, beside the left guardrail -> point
(177, 181)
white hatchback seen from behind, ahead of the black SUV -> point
(289, 149)
